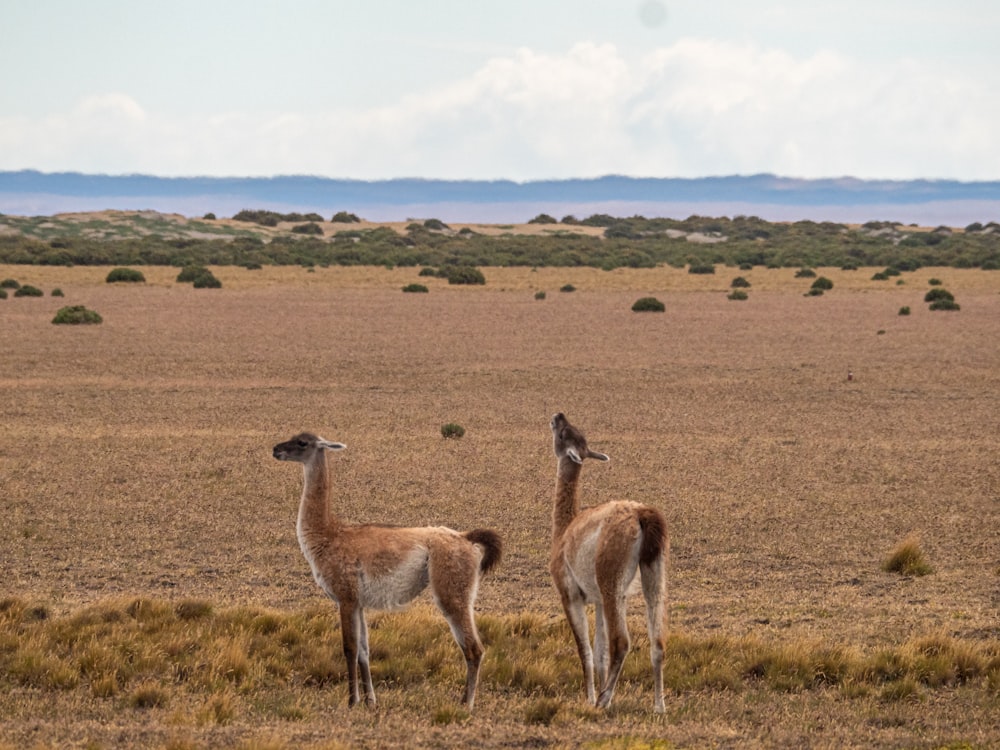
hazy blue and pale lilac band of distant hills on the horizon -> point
(925, 202)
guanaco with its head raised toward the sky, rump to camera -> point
(596, 553)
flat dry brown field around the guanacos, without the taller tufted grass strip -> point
(135, 463)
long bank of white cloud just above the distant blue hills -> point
(699, 107)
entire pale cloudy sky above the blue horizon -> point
(519, 89)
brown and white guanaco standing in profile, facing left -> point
(386, 567)
